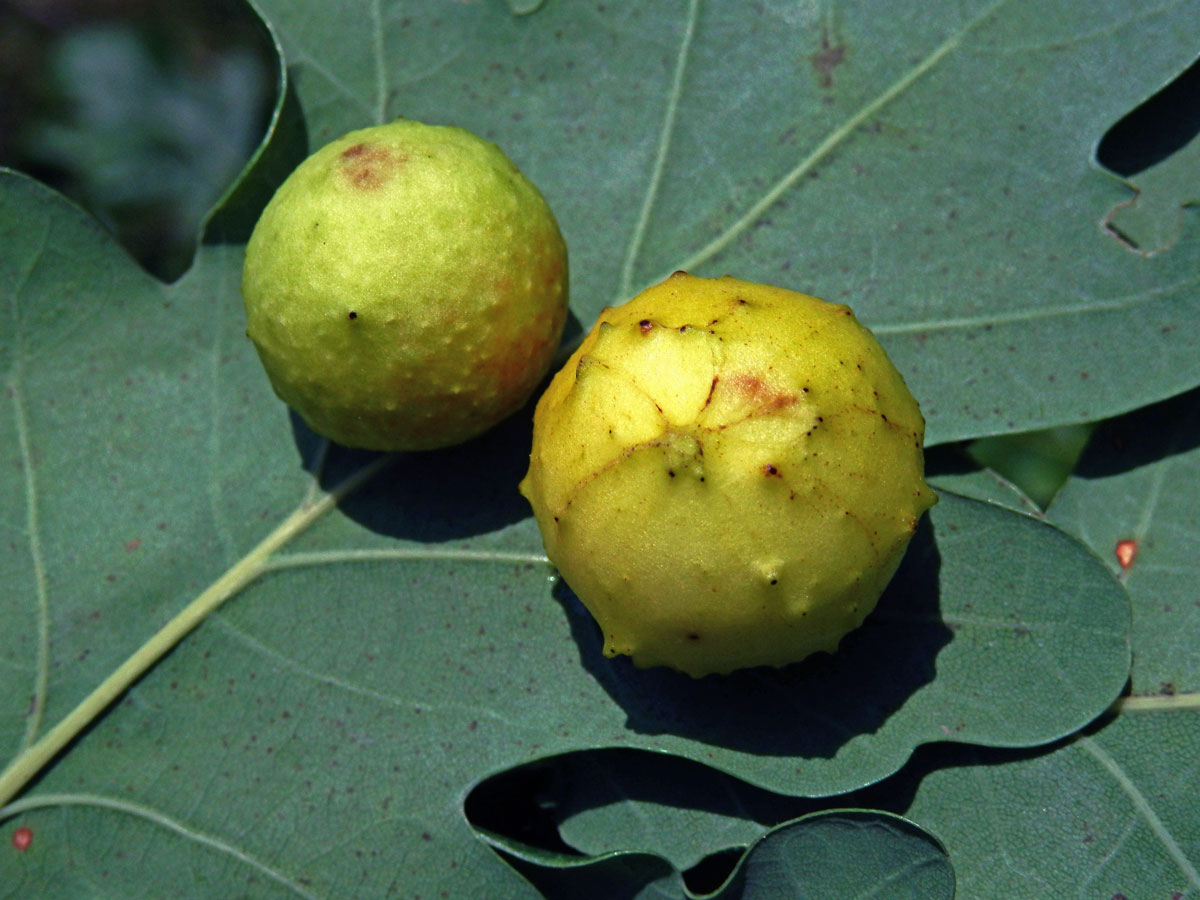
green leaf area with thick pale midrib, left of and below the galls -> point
(391, 647)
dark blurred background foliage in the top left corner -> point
(142, 112)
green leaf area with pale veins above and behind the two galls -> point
(932, 165)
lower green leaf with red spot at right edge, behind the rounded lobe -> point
(1112, 813)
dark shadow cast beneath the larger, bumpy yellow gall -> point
(808, 710)
